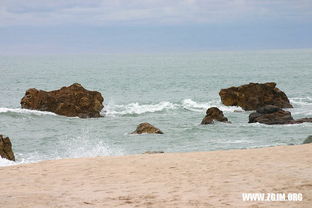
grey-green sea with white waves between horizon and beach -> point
(170, 91)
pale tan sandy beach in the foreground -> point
(208, 179)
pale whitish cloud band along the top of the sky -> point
(110, 12)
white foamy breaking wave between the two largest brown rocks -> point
(186, 104)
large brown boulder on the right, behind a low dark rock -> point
(254, 95)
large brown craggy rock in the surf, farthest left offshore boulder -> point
(69, 101)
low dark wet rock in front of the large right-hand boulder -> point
(271, 114)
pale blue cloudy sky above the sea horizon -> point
(136, 26)
